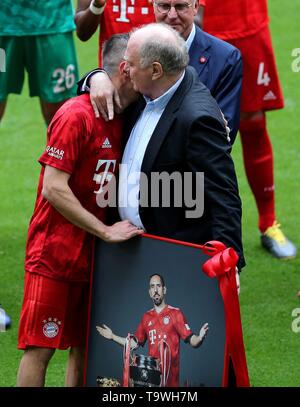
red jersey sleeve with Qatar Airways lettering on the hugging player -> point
(65, 137)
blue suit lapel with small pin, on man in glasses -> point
(199, 51)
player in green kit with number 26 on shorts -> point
(37, 36)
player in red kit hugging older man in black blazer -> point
(81, 156)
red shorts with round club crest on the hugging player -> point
(54, 313)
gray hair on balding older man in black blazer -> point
(173, 56)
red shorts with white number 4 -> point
(261, 87)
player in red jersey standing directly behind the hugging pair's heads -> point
(112, 16)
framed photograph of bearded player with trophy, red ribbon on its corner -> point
(157, 319)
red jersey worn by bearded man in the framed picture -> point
(169, 325)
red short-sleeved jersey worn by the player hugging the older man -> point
(88, 149)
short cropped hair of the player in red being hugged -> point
(113, 52)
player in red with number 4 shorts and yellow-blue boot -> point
(244, 23)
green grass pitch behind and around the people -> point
(268, 286)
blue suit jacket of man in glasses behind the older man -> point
(219, 66)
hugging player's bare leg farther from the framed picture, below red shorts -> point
(33, 367)
